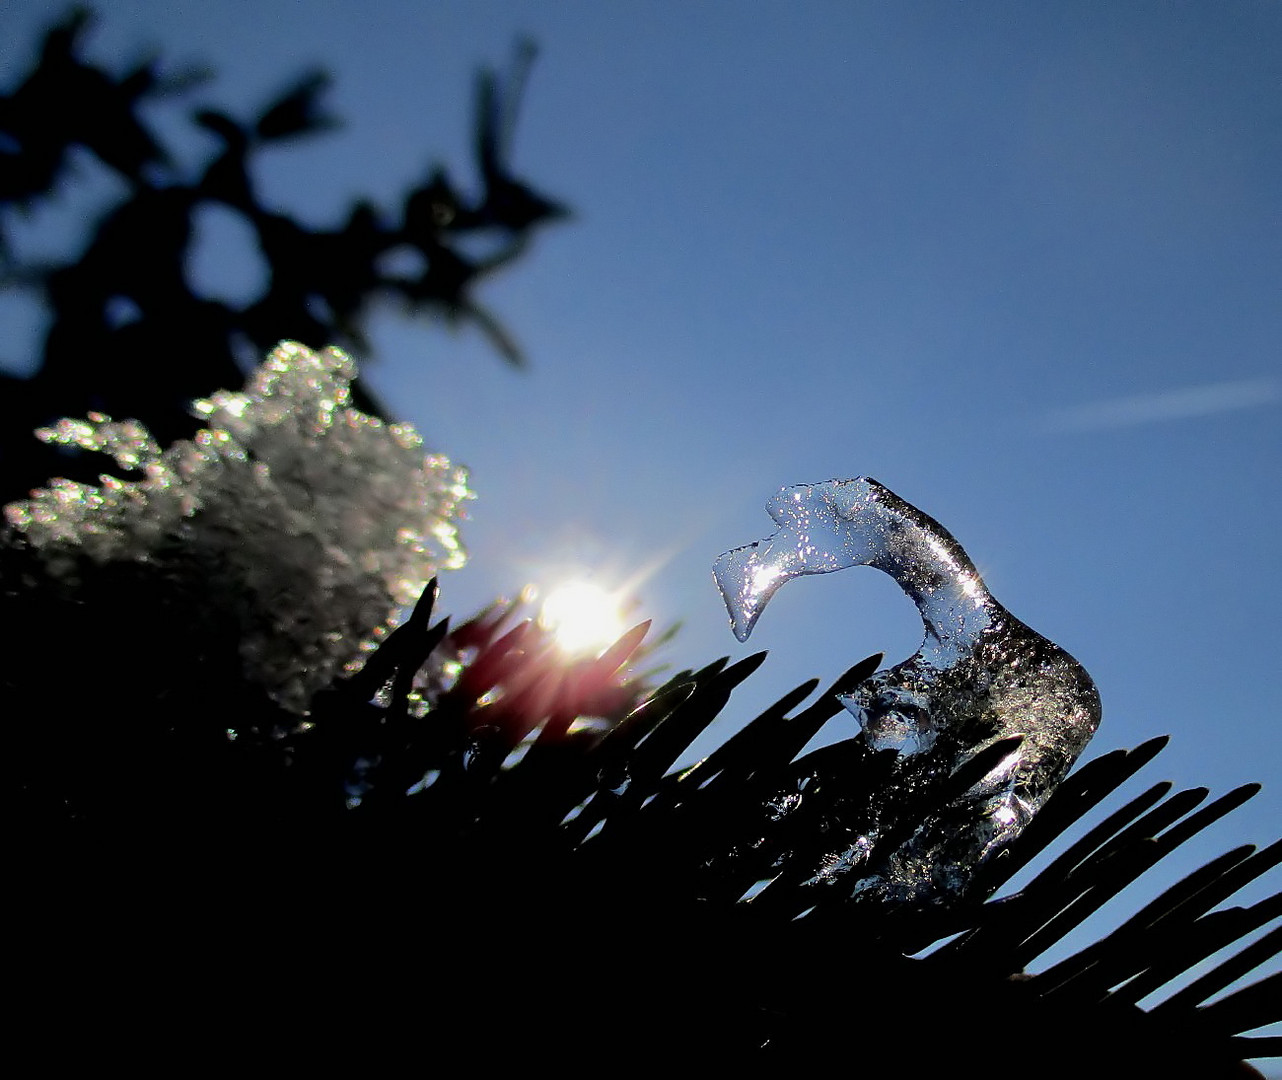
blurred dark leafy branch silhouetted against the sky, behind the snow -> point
(128, 334)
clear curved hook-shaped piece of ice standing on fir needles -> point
(980, 677)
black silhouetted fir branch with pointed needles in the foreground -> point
(197, 877)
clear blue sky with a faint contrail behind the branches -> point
(1020, 262)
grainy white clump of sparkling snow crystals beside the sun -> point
(308, 521)
